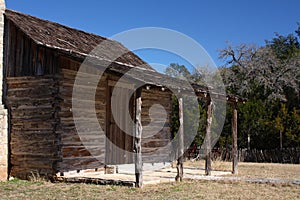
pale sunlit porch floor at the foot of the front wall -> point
(125, 175)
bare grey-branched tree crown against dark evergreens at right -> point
(258, 72)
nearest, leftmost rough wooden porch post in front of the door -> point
(137, 140)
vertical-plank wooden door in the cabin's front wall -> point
(119, 143)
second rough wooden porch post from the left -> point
(180, 142)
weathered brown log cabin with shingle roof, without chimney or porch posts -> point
(41, 61)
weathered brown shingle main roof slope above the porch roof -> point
(77, 42)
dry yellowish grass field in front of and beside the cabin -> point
(18, 189)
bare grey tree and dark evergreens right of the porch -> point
(269, 77)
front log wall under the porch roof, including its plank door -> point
(75, 153)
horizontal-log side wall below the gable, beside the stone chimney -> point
(34, 144)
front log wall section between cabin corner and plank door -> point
(76, 153)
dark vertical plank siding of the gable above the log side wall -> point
(23, 57)
